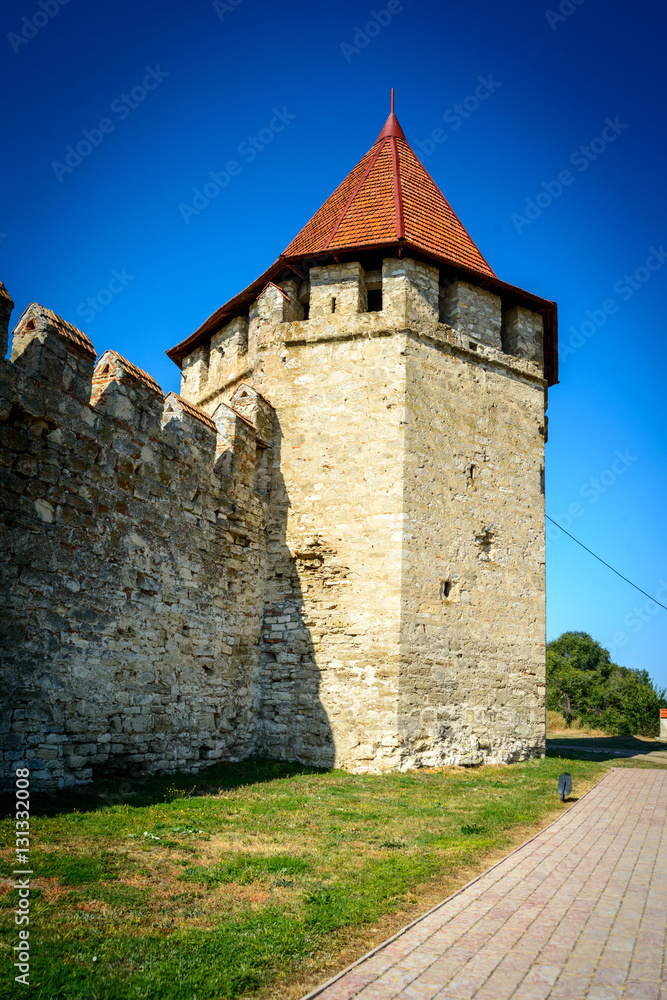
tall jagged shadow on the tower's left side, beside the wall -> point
(293, 723)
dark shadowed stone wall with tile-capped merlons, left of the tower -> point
(133, 545)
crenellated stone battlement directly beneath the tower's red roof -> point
(343, 301)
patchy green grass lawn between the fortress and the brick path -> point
(257, 879)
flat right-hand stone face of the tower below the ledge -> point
(472, 677)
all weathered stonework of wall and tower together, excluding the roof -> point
(329, 547)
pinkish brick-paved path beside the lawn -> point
(578, 912)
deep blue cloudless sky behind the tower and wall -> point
(182, 89)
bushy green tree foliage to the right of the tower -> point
(584, 684)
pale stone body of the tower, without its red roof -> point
(404, 619)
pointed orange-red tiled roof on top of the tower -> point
(389, 197)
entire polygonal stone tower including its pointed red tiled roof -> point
(398, 388)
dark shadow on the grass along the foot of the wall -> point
(147, 790)
